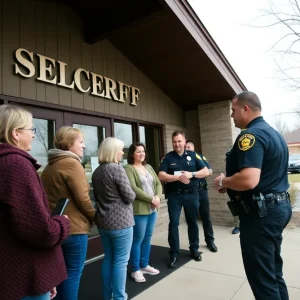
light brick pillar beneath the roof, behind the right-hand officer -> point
(217, 133)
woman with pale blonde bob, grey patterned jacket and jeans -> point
(114, 198)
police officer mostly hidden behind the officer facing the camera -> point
(204, 203)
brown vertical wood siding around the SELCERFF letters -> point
(57, 32)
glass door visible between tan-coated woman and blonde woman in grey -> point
(95, 130)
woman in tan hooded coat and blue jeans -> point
(64, 177)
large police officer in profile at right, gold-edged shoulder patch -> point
(256, 182)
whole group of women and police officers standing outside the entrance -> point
(42, 256)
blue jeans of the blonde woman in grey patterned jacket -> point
(117, 245)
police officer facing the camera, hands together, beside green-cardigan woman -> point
(180, 170)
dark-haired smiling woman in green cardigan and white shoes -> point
(148, 190)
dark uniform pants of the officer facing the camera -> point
(190, 204)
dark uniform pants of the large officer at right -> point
(261, 240)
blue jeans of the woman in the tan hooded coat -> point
(74, 250)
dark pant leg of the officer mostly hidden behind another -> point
(205, 216)
